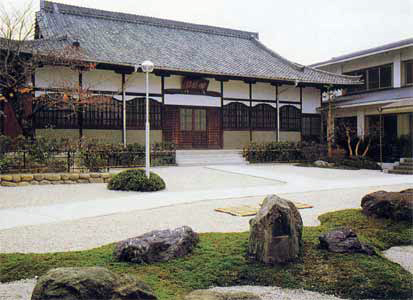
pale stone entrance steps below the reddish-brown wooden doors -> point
(209, 157)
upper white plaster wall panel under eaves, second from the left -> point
(103, 80)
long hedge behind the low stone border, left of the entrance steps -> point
(58, 155)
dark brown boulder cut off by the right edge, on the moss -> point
(394, 205)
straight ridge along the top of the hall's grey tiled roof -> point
(140, 19)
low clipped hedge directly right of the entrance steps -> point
(283, 152)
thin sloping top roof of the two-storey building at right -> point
(366, 52)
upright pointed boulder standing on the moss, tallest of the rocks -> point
(276, 232)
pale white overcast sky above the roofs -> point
(304, 31)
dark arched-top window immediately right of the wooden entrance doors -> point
(235, 116)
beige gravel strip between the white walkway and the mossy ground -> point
(93, 232)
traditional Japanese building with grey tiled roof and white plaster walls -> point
(211, 88)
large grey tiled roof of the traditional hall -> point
(125, 39)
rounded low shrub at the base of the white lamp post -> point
(136, 180)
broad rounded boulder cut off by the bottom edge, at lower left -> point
(89, 283)
